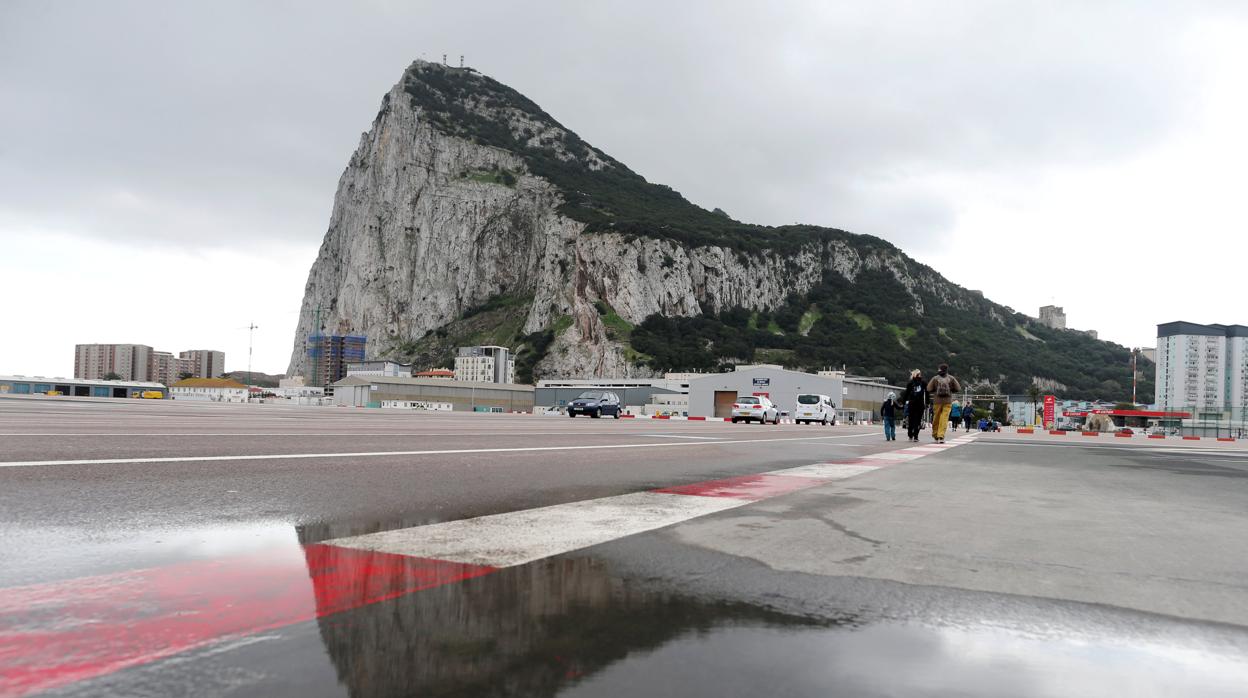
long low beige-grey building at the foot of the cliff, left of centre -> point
(371, 391)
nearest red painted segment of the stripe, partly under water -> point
(63, 632)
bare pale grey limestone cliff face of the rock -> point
(430, 222)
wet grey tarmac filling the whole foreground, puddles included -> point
(1003, 566)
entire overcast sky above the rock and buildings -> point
(168, 169)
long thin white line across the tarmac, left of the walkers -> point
(385, 454)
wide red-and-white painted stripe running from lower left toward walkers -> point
(189, 605)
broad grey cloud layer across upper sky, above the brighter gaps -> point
(228, 123)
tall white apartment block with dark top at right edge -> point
(1202, 366)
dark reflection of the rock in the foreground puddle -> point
(525, 631)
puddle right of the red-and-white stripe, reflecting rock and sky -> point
(568, 627)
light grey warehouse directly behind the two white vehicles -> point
(714, 394)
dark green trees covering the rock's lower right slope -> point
(870, 325)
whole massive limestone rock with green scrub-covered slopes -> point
(470, 215)
